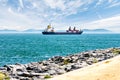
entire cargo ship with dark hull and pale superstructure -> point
(50, 31)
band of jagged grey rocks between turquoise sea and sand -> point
(57, 65)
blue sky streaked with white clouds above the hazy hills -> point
(37, 14)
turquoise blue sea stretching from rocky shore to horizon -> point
(26, 48)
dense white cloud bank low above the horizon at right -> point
(108, 23)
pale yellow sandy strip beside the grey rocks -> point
(105, 70)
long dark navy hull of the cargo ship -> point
(62, 33)
